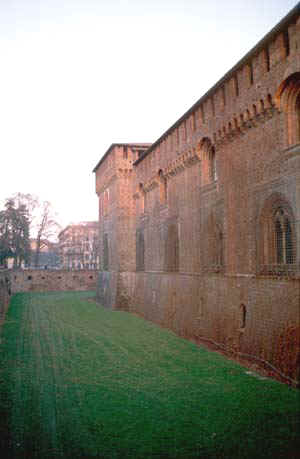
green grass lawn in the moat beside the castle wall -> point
(80, 381)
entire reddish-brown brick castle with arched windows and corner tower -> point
(200, 231)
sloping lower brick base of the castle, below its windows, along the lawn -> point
(250, 315)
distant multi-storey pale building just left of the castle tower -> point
(78, 246)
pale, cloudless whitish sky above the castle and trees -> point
(78, 75)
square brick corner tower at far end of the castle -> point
(114, 187)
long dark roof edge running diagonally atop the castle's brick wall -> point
(258, 47)
